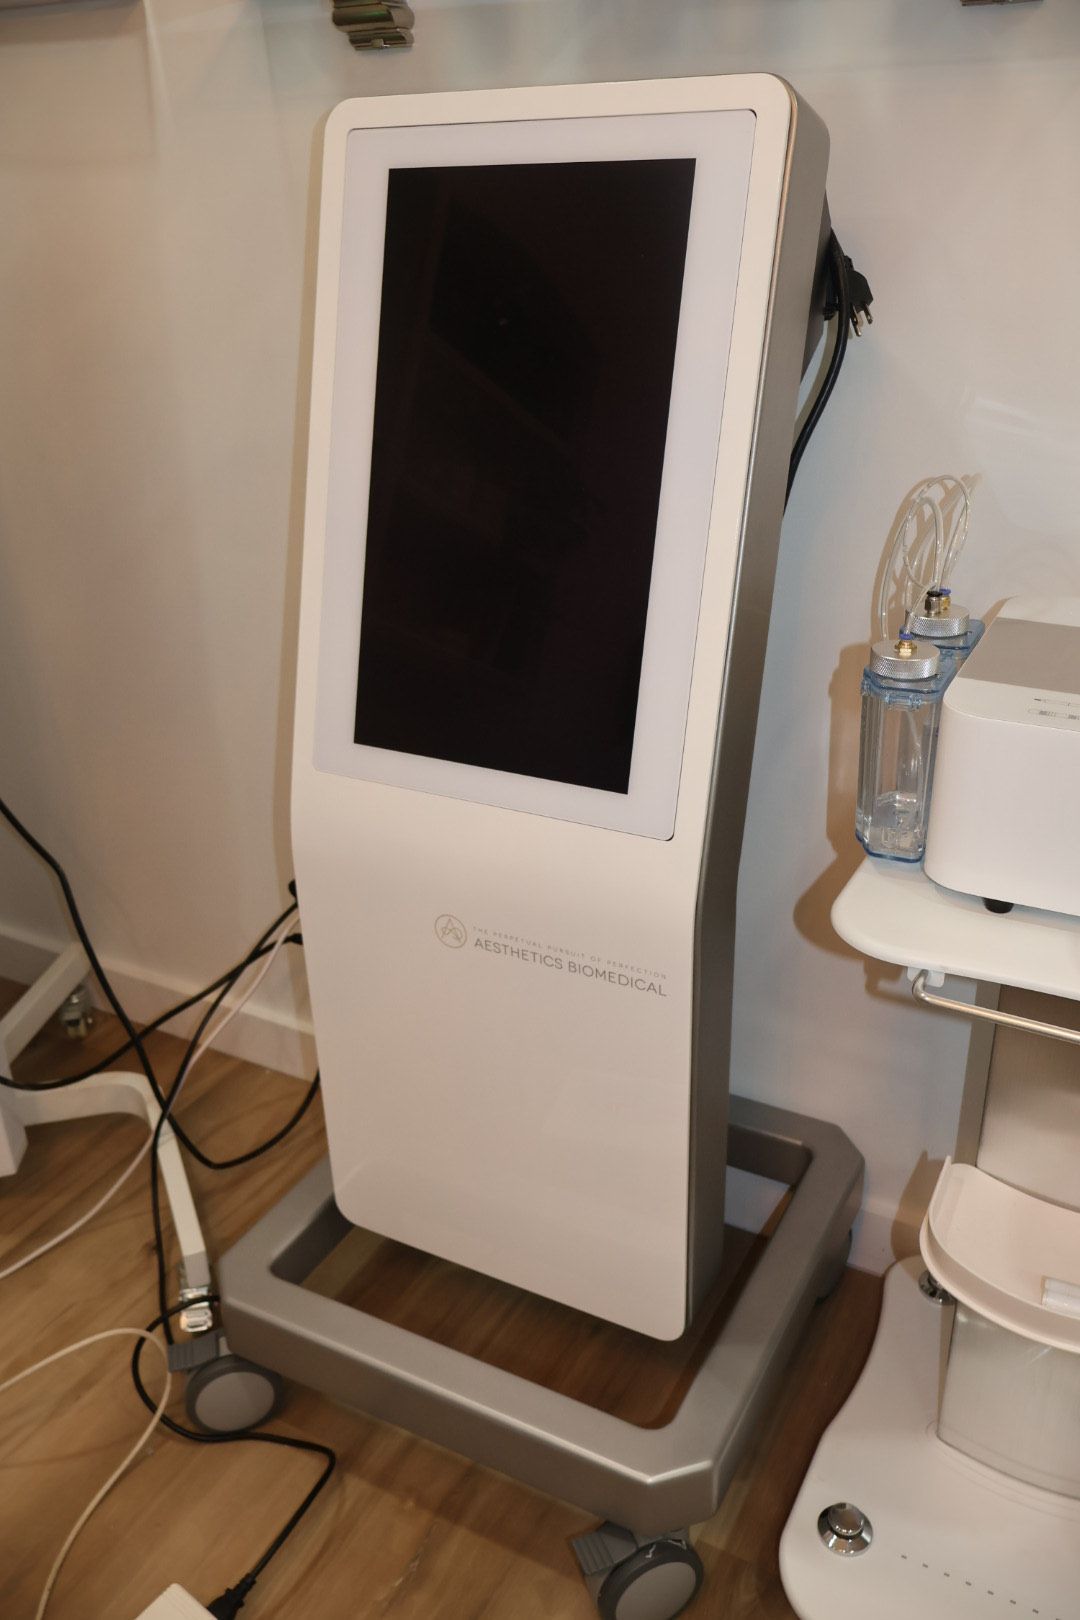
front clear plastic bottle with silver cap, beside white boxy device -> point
(903, 689)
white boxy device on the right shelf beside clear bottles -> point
(1003, 817)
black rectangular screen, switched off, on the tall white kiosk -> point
(527, 343)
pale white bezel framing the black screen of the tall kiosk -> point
(721, 142)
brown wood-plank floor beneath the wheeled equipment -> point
(406, 1530)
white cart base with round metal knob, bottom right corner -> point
(953, 1540)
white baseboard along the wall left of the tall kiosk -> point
(268, 1036)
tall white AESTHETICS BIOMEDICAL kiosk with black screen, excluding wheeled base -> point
(559, 338)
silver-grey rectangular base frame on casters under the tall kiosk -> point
(647, 1480)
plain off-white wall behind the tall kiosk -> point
(155, 194)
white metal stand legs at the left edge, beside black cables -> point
(101, 1094)
